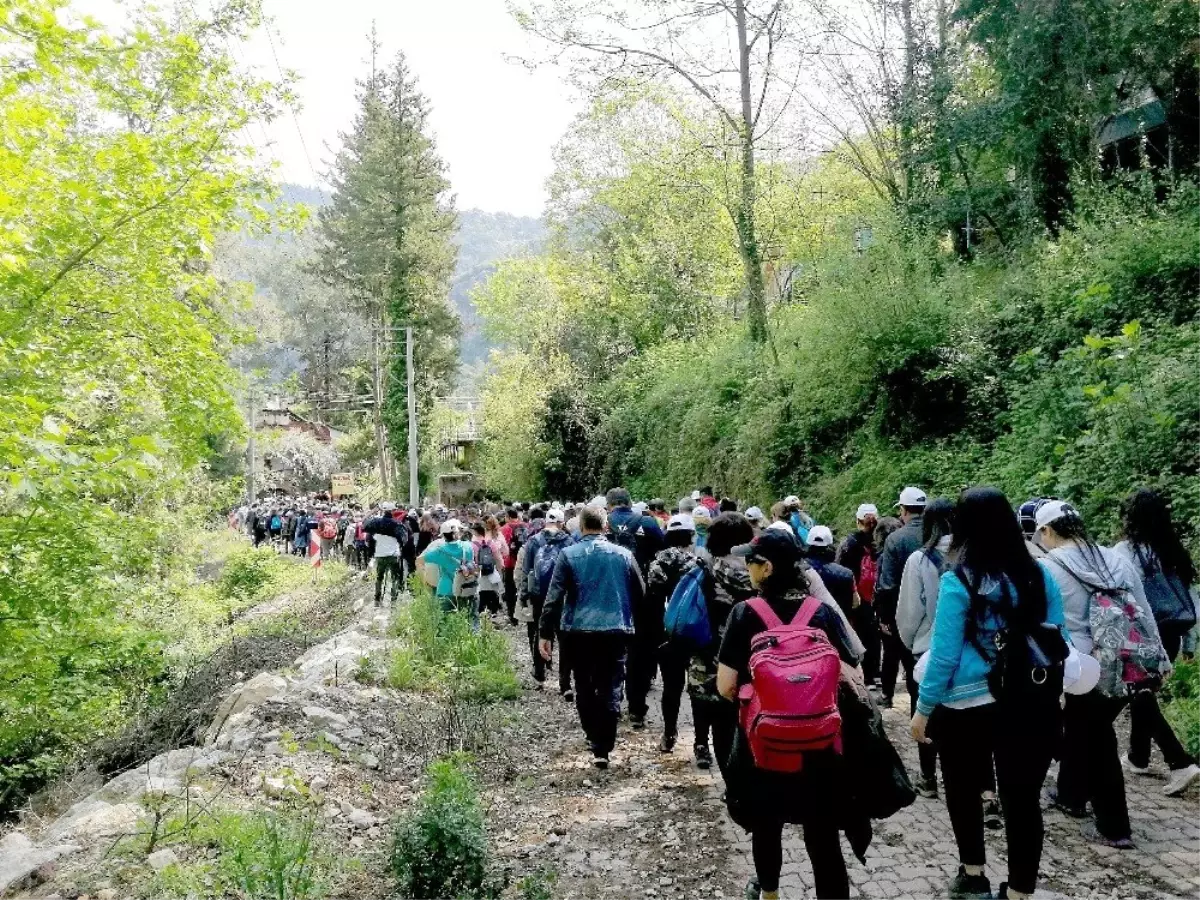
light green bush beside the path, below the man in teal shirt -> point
(441, 651)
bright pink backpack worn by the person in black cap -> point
(791, 705)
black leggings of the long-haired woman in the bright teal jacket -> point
(968, 740)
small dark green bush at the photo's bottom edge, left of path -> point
(441, 845)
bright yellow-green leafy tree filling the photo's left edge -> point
(121, 163)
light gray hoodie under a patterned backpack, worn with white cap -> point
(1079, 572)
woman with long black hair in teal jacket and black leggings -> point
(994, 587)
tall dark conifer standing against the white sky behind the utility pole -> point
(388, 239)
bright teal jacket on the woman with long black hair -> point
(956, 670)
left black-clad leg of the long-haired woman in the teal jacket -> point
(965, 753)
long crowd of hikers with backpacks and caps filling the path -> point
(1019, 638)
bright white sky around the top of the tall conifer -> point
(495, 122)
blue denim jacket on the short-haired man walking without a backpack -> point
(596, 587)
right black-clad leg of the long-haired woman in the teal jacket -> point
(1023, 759)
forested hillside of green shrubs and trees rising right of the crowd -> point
(989, 275)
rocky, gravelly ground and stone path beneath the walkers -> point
(320, 735)
